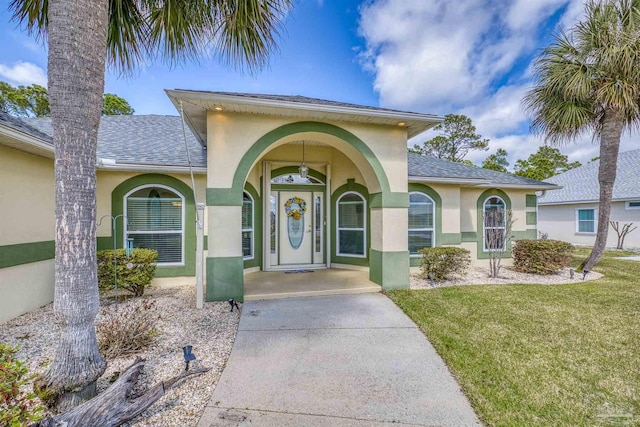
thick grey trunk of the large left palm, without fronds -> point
(76, 83)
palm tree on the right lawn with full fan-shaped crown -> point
(588, 81)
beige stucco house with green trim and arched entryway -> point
(355, 209)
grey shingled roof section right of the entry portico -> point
(428, 167)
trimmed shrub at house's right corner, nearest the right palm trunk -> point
(541, 256)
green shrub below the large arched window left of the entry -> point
(134, 272)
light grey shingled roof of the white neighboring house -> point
(581, 184)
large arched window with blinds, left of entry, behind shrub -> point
(155, 220)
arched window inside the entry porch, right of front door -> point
(351, 229)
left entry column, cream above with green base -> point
(224, 260)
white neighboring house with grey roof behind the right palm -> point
(571, 213)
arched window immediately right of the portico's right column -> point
(421, 222)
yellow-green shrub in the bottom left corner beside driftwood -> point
(17, 408)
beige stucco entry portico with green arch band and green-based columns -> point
(371, 158)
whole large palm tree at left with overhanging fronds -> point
(82, 36)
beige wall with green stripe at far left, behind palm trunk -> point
(26, 234)
